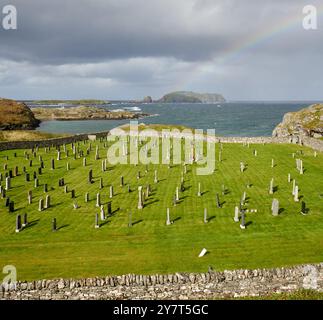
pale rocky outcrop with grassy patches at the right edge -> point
(306, 122)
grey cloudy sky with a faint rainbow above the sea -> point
(128, 49)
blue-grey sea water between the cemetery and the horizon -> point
(227, 119)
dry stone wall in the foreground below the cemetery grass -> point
(227, 284)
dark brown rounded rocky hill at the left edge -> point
(16, 116)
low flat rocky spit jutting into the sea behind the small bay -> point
(83, 113)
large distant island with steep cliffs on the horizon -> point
(191, 97)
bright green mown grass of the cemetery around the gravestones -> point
(78, 250)
